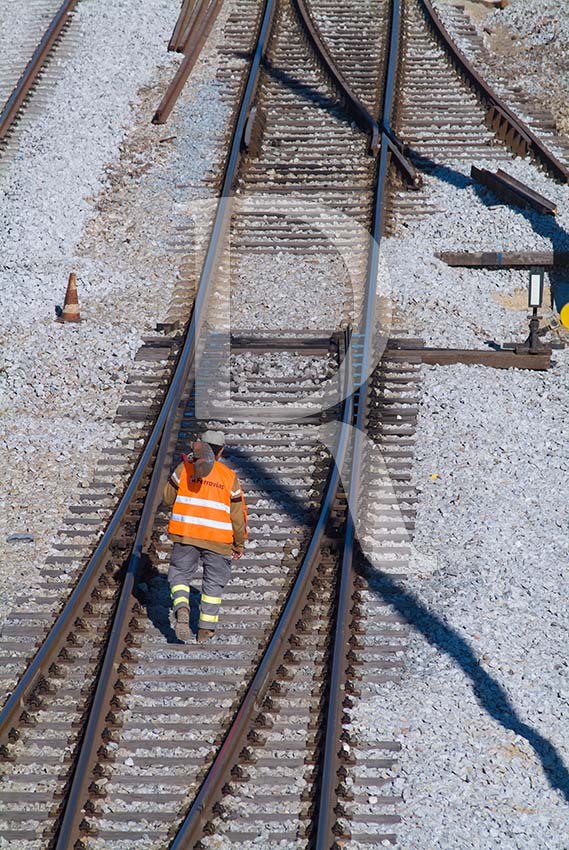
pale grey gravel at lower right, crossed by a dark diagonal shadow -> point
(484, 706)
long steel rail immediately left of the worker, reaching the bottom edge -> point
(160, 441)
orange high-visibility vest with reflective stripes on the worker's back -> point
(202, 508)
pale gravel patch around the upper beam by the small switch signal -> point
(468, 307)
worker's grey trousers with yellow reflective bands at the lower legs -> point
(184, 565)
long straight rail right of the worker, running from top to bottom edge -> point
(324, 837)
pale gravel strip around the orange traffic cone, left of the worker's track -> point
(93, 189)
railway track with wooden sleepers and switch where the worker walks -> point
(118, 736)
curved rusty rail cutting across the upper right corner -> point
(503, 115)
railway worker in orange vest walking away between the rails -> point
(208, 523)
